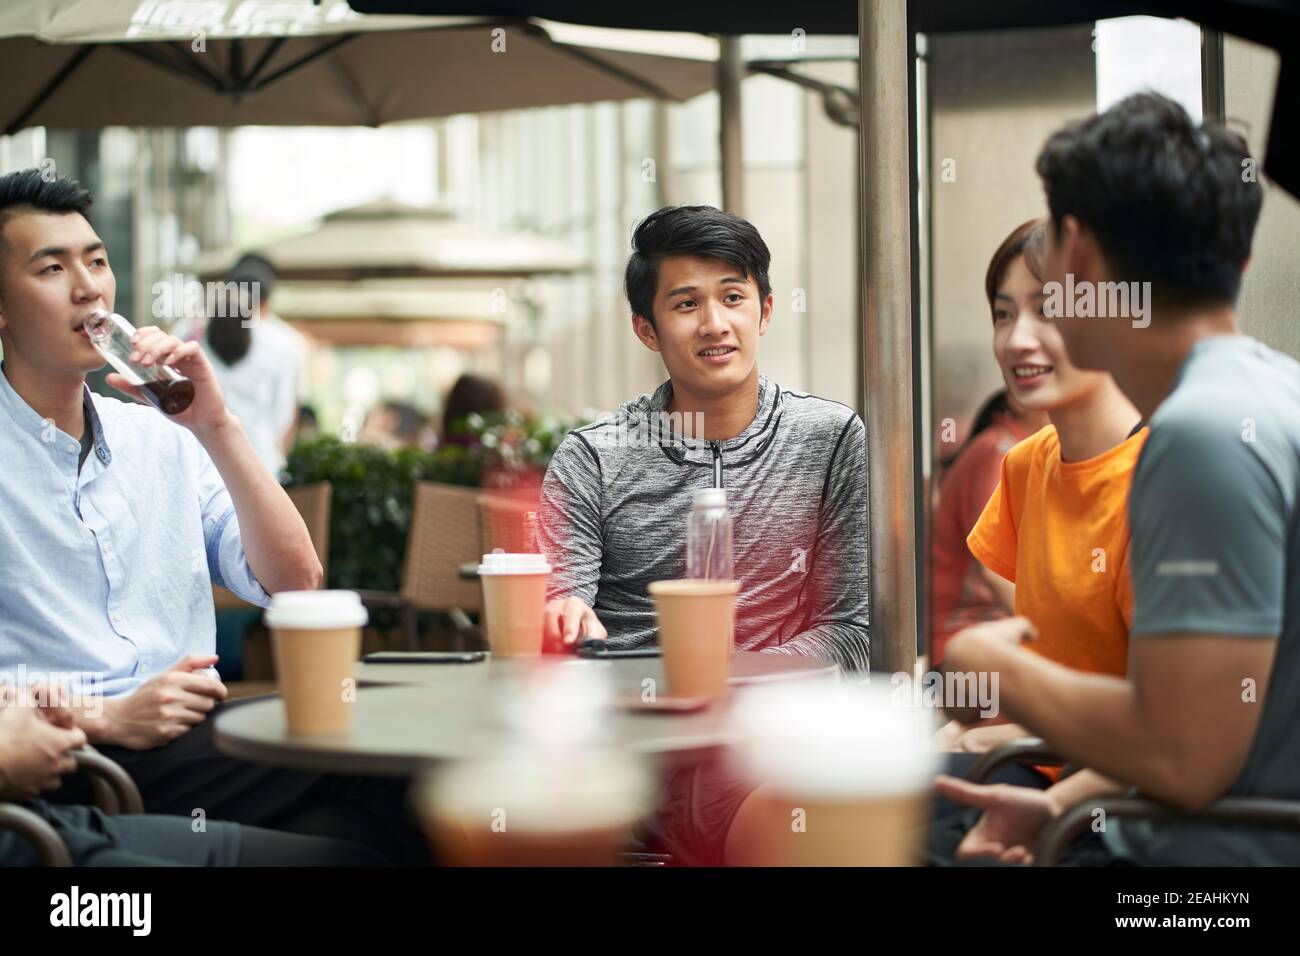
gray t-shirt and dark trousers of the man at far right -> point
(1215, 514)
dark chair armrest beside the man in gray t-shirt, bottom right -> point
(1241, 811)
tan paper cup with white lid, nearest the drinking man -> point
(317, 641)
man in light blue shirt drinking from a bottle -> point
(116, 521)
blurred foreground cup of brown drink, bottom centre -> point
(535, 808)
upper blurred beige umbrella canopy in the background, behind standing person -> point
(391, 240)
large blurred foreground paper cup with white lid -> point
(846, 776)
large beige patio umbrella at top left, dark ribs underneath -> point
(240, 63)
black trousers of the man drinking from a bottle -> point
(190, 778)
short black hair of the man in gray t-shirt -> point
(1171, 202)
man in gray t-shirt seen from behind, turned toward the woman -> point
(1151, 232)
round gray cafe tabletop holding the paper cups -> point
(409, 716)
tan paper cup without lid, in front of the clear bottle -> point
(697, 628)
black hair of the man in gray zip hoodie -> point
(692, 231)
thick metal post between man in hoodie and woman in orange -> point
(886, 167)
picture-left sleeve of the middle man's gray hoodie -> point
(569, 524)
